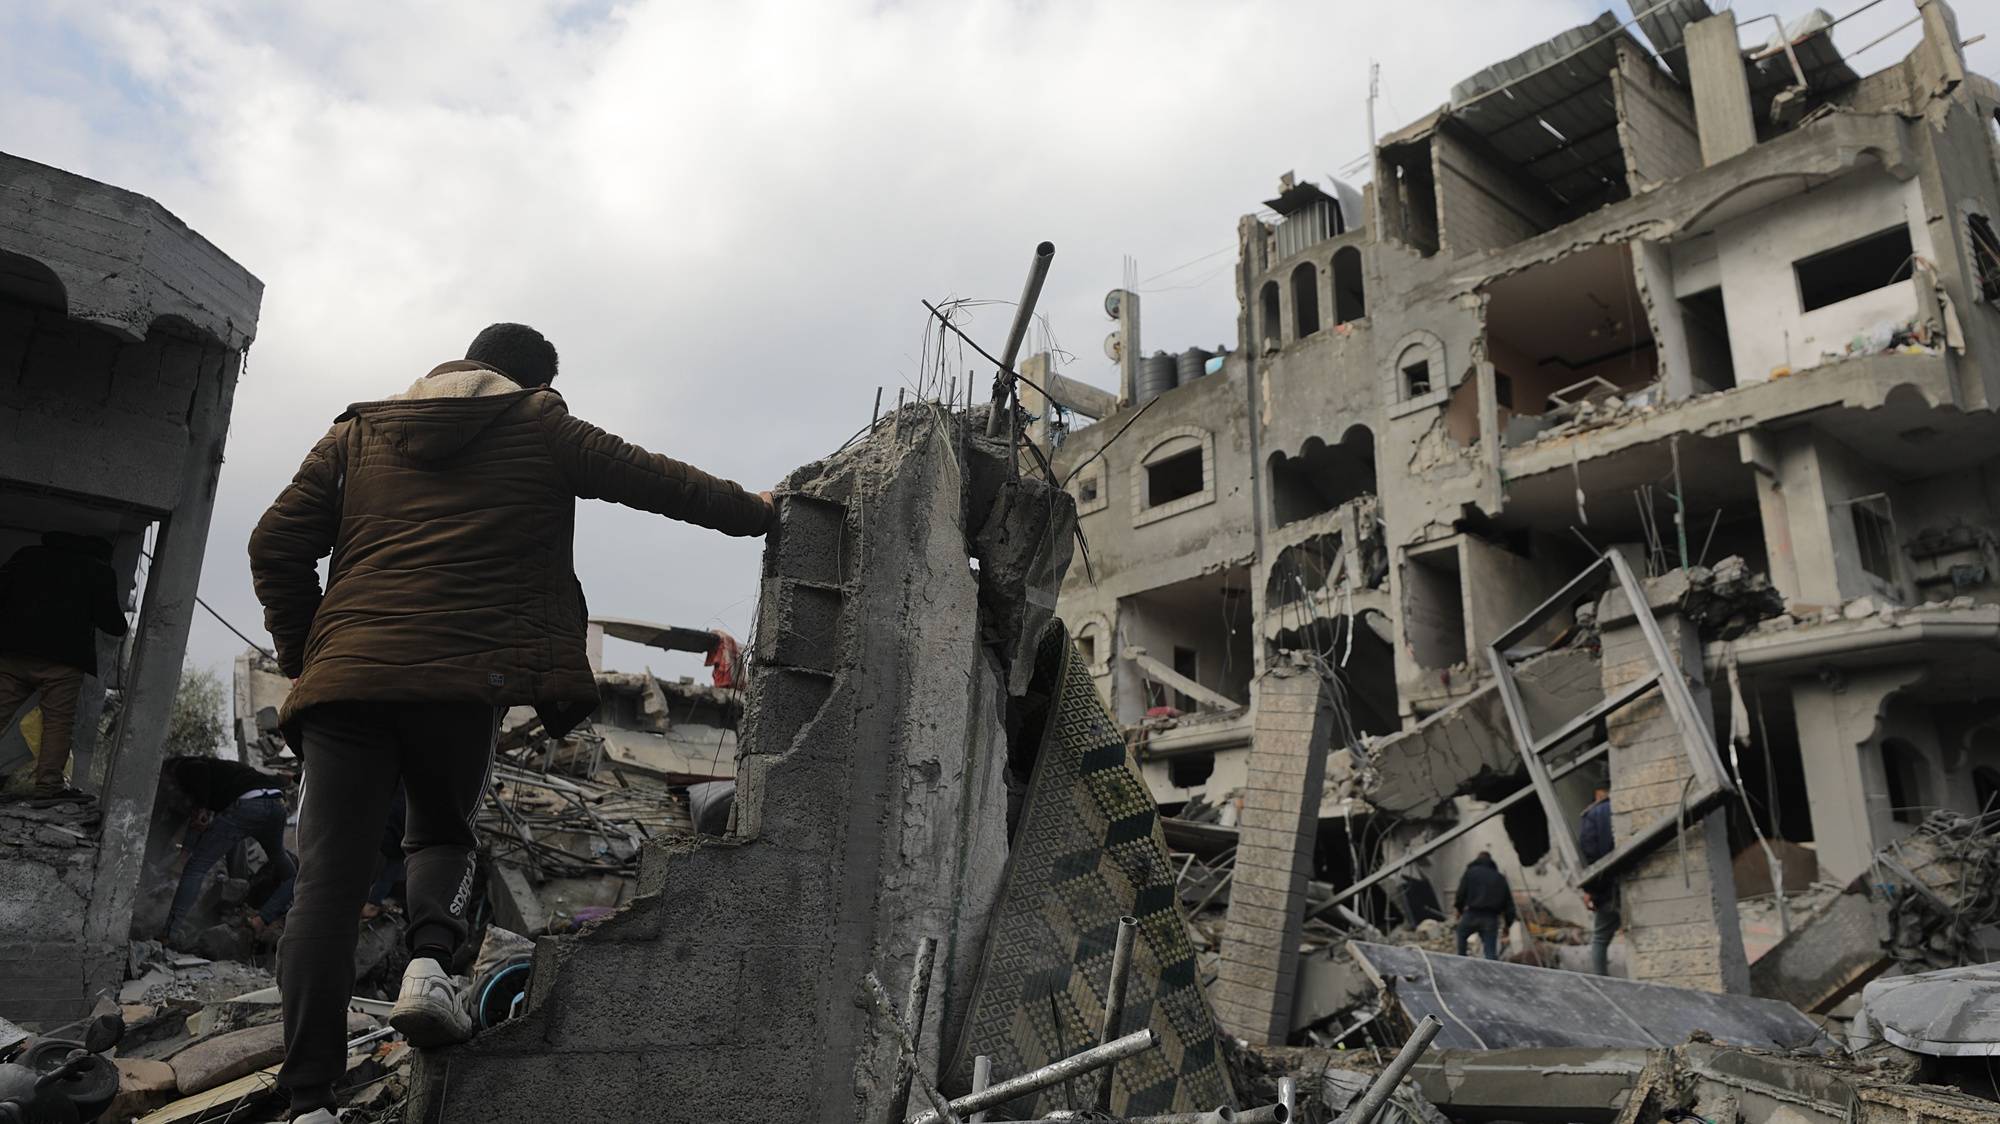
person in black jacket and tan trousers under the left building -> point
(55, 599)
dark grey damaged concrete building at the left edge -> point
(121, 337)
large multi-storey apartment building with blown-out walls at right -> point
(1641, 309)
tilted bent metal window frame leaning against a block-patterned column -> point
(1709, 785)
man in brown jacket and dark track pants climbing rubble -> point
(449, 515)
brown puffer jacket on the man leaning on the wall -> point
(449, 515)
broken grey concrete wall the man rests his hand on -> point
(871, 813)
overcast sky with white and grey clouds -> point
(723, 215)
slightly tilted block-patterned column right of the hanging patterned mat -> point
(1273, 857)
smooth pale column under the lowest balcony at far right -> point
(1837, 727)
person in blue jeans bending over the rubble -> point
(231, 803)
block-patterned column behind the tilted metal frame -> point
(1679, 901)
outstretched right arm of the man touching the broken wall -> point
(605, 467)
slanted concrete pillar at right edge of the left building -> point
(133, 775)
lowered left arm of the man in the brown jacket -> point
(287, 549)
